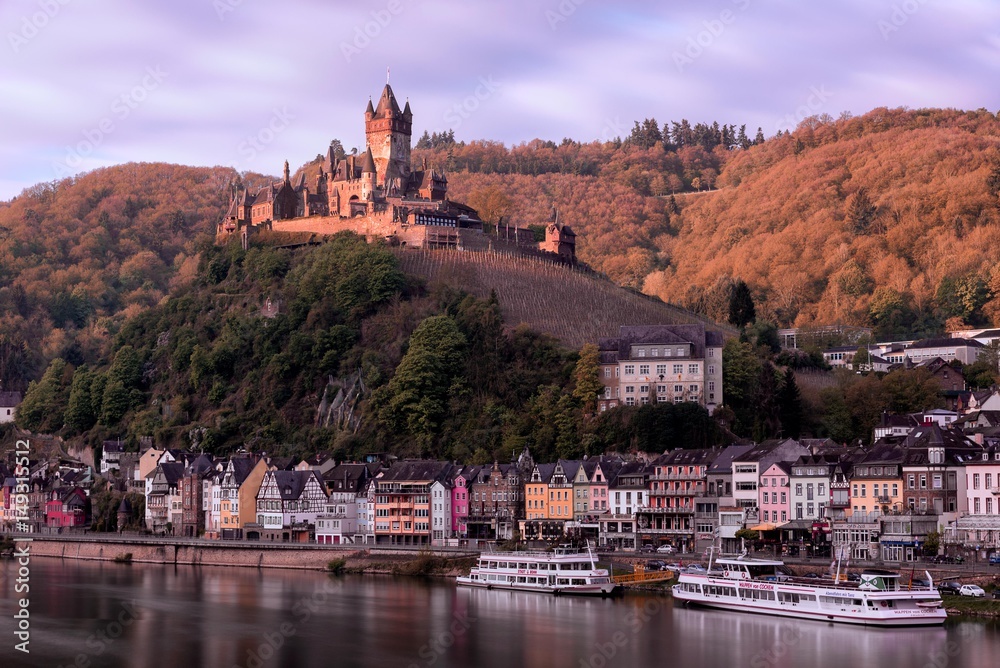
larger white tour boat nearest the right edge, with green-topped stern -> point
(765, 587)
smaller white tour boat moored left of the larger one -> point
(566, 570)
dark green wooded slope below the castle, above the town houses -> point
(252, 352)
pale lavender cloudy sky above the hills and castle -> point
(250, 83)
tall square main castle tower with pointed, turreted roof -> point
(387, 133)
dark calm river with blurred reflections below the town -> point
(92, 614)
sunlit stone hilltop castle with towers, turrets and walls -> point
(376, 194)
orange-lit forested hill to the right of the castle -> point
(887, 220)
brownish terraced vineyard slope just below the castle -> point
(576, 307)
